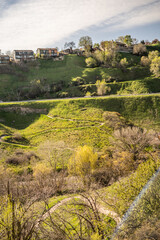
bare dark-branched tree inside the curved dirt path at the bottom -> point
(87, 221)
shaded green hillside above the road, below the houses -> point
(50, 79)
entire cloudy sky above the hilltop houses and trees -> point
(30, 24)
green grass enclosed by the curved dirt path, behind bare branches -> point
(67, 211)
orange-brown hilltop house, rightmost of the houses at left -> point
(47, 52)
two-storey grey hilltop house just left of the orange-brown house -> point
(23, 55)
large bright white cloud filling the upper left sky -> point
(29, 24)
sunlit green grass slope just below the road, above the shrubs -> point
(75, 122)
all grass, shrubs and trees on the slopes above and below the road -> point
(70, 169)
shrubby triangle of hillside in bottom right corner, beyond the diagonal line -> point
(143, 221)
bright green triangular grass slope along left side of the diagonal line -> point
(121, 194)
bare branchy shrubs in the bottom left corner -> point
(17, 221)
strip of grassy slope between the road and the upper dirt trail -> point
(134, 108)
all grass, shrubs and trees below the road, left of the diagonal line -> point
(40, 144)
